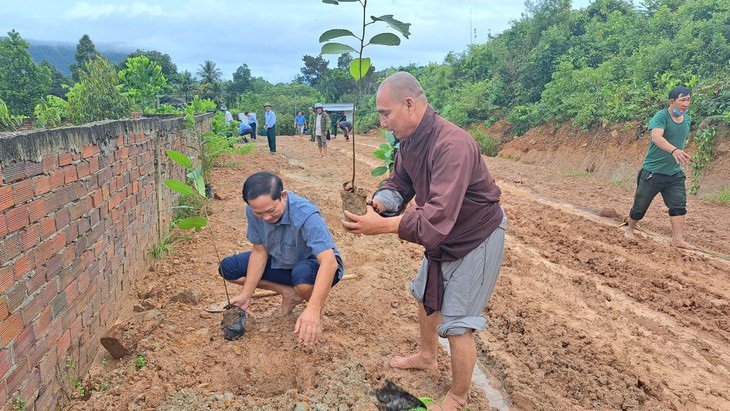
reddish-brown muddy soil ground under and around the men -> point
(581, 317)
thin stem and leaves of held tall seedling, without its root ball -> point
(360, 66)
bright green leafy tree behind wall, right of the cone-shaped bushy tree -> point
(143, 82)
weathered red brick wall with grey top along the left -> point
(79, 207)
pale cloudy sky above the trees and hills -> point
(270, 36)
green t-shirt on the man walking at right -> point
(657, 160)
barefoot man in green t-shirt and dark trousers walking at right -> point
(661, 171)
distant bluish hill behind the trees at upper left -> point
(62, 55)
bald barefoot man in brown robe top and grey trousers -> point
(456, 217)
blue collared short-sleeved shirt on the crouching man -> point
(301, 233)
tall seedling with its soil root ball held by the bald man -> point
(354, 198)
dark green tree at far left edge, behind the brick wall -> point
(22, 82)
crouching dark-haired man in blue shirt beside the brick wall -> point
(293, 253)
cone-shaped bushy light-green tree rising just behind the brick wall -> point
(97, 96)
